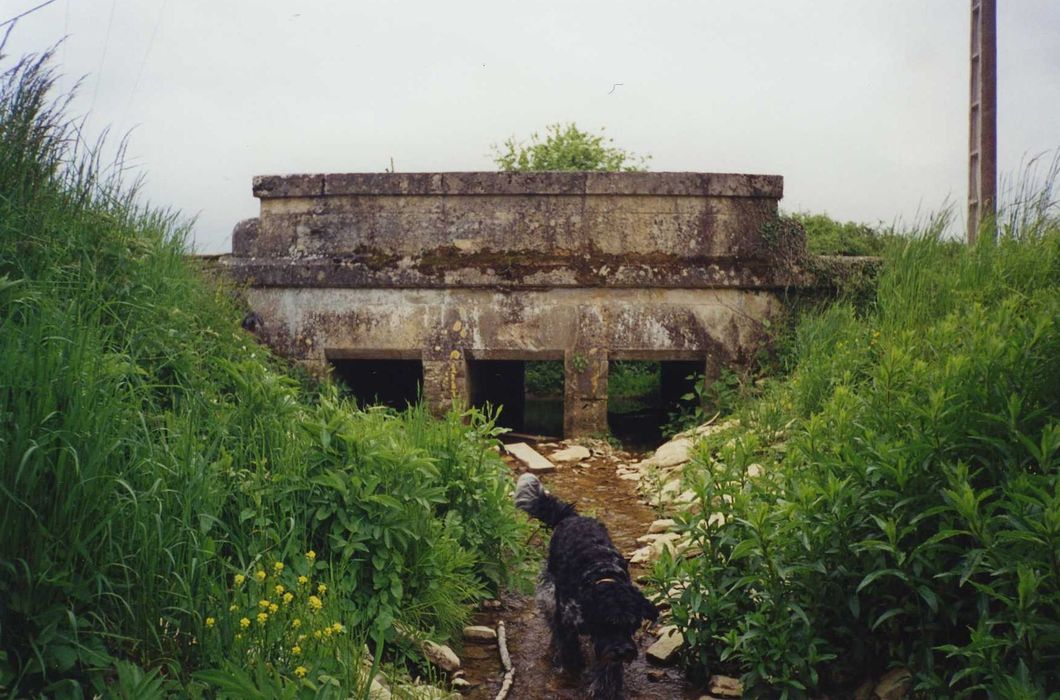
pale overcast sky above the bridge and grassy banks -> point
(862, 107)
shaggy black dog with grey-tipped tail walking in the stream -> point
(586, 589)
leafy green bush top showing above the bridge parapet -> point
(567, 148)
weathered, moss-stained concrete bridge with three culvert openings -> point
(454, 281)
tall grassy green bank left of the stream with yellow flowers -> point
(152, 452)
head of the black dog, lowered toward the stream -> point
(615, 610)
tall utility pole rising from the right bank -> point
(983, 118)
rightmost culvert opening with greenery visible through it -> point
(647, 397)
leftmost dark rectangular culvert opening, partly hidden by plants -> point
(395, 383)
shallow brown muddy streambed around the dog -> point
(597, 492)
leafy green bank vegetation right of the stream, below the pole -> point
(909, 509)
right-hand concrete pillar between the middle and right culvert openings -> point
(586, 393)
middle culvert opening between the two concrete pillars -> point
(531, 394)
